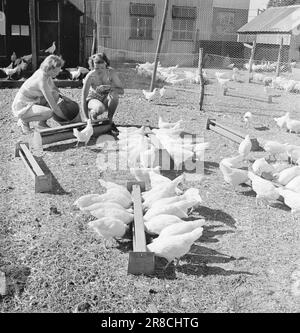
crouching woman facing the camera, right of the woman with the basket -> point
(101, 89)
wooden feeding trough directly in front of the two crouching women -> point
(65, 132)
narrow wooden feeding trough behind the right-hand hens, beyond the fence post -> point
(231, 134)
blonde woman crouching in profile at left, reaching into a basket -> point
(38, 96)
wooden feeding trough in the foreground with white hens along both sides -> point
(140, 260)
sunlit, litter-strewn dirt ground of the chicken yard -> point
(247, 259)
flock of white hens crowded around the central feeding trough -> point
(165, 205)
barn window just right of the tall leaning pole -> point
(183, 22)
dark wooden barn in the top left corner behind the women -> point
(30, 26)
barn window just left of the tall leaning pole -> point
(141, 20)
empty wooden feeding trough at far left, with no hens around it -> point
(42, 181)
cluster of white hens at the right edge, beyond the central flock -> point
(269, 180)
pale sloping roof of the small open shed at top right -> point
(274, 20)
